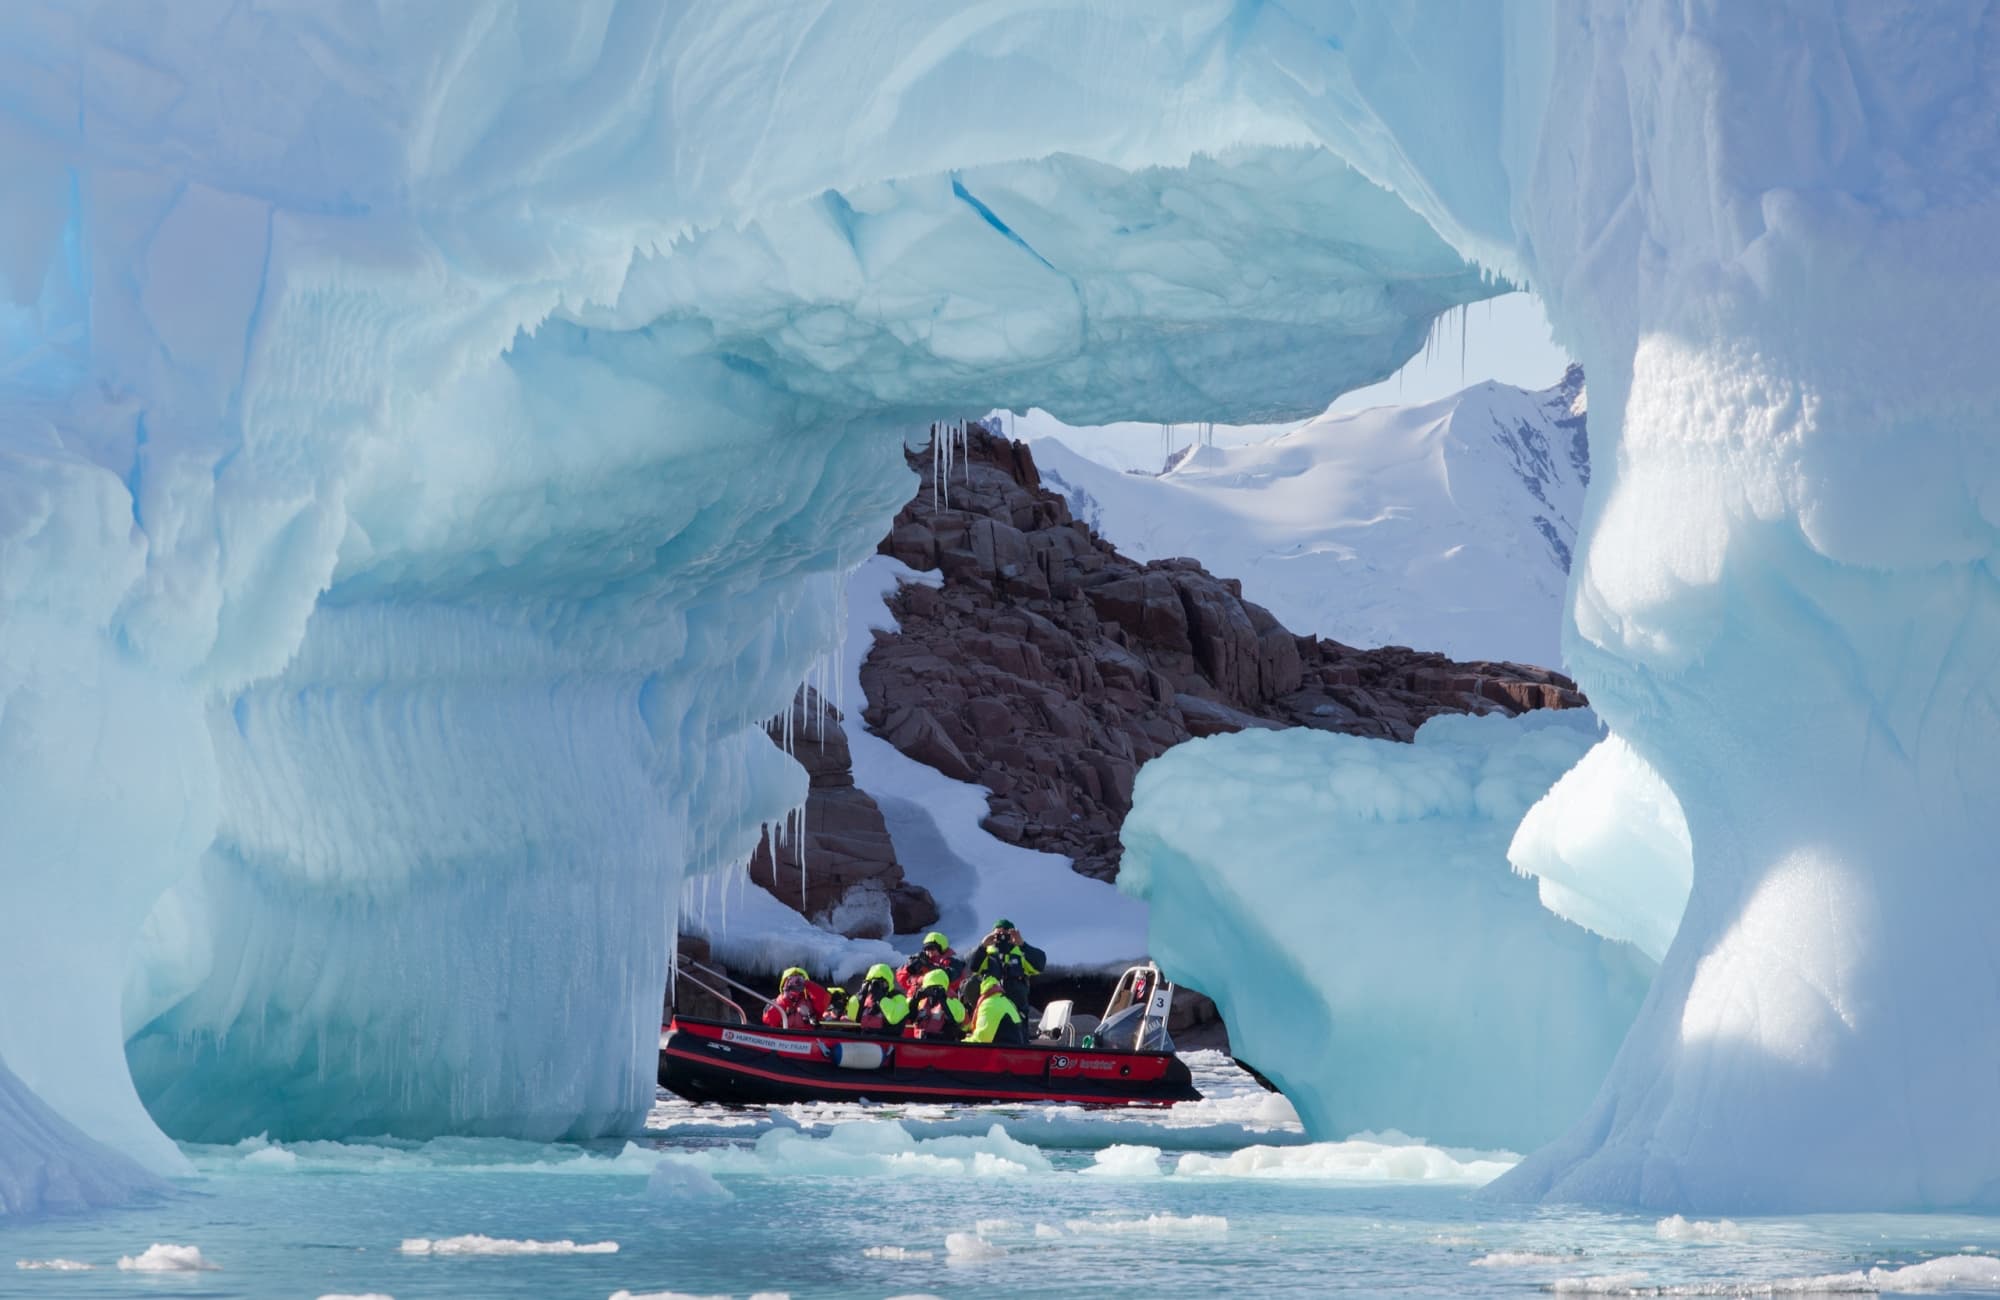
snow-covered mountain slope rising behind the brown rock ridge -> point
(1447, 525)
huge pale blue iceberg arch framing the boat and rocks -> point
(431, 439)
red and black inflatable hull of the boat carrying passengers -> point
(739, 1065)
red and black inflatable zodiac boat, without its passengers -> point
(1125, 1059)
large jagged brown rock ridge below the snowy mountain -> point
(1051, 667)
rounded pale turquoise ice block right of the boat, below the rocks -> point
(1349, 907)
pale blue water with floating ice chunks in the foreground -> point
(1221, 1197)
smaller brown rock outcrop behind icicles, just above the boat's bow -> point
(843, 873)
